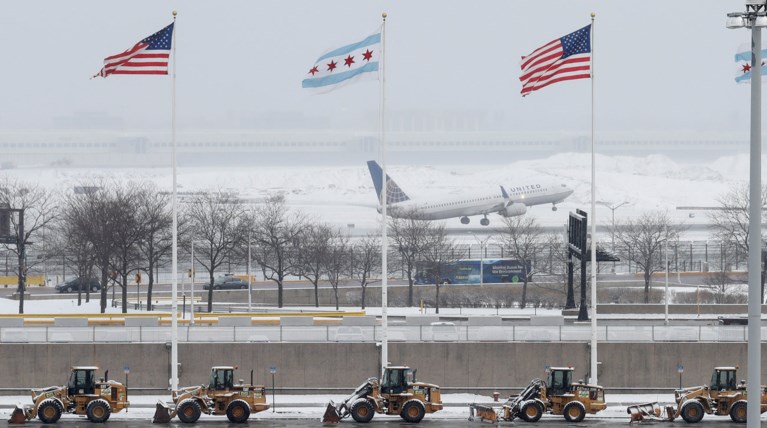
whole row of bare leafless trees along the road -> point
(112, 231)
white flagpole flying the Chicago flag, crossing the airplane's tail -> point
(384, 190)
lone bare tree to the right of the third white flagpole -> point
(642, 241)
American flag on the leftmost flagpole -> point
(149, 56)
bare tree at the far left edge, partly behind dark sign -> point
(39, 211)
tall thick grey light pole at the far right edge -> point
(755, 17)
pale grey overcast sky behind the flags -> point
(660, 65)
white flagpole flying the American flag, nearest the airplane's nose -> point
(593, 221)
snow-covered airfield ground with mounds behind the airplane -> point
(344, 195)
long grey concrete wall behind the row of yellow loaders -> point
(495, 366)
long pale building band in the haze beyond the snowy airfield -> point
(99, 148)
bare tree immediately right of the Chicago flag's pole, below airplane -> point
(409, 233)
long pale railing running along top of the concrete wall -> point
(396, 333)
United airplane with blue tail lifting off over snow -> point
(508, 204)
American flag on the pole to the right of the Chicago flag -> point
(566, 58)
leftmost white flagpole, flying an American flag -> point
(174, 269)
